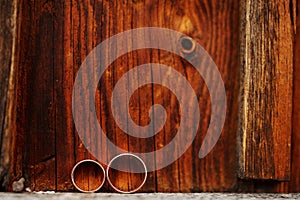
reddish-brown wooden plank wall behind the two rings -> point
(54, 39)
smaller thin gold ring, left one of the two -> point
(81, 164)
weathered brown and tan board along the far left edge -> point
(8, 35)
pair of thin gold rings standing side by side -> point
(101, 174)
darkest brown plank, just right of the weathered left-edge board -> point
(38, 120)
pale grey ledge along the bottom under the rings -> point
(154, 196)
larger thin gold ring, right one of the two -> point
(113, 186)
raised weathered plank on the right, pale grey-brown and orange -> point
(264, 136)
